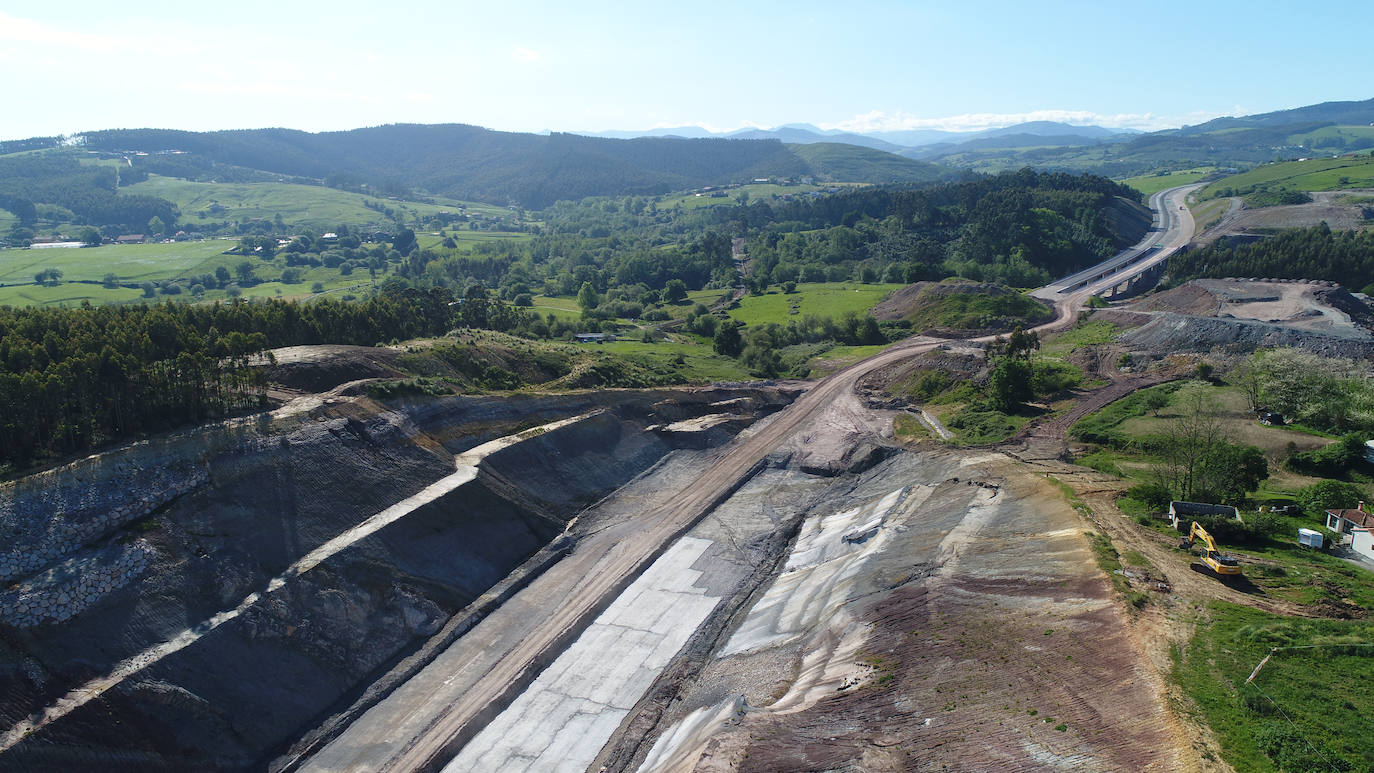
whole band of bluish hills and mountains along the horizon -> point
(537, 171)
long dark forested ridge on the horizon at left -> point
(471, 163)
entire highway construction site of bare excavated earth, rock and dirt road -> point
(743, 577)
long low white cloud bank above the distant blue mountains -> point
(881, 122)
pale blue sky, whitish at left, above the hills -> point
(535, 67)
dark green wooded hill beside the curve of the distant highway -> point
(1020, 229)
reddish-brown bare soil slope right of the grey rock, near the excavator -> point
(1023, 660)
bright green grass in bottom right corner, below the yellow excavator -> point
(1287, 719)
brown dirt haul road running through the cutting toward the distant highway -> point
(427, 722)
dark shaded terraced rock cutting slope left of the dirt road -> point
(138, 547)
